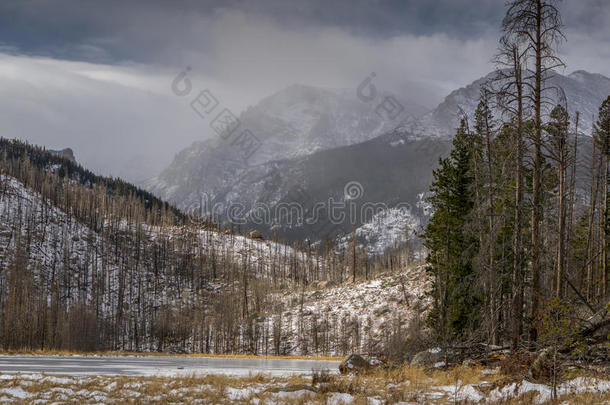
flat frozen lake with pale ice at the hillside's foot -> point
(157, 365)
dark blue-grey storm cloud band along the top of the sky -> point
(143, 31)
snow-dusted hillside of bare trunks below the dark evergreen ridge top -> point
(143, 279)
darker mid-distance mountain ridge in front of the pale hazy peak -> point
(391, 170)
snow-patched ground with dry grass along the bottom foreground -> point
(404, 387)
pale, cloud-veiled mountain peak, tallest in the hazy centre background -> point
(302, 119)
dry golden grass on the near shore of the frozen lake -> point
(389, 386)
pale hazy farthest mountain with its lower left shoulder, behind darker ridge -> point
(295, 122)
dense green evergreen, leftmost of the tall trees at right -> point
(452, 245)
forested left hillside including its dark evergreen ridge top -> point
(89, 263)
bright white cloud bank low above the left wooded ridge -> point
(119, 120)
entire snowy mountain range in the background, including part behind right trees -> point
(317, 141)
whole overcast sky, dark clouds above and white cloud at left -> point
(96, 75)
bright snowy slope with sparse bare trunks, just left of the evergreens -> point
(366, 314)
